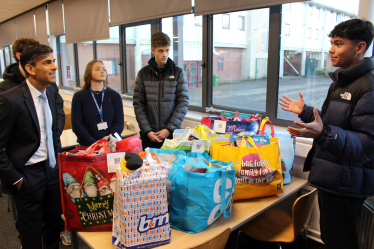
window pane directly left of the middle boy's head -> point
(138, 52)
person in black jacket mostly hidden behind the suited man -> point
(14, 76)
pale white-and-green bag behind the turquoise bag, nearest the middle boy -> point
(183, 143)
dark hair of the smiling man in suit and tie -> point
(32, 54)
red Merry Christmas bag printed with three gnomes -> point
(87, 189)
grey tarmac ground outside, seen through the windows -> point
(252, 94)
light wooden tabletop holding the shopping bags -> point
(242, 212)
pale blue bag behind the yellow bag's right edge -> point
(286, 148)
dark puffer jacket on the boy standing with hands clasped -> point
(160, 102)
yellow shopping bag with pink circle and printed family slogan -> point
(258, 171)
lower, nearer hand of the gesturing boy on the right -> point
(311, 130)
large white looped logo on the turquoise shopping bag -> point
(217, 210)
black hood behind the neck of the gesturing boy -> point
(351, 74)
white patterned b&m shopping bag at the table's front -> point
(140, 216)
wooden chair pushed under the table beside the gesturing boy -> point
(276, 226)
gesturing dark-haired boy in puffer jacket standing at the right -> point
(341, 161)
